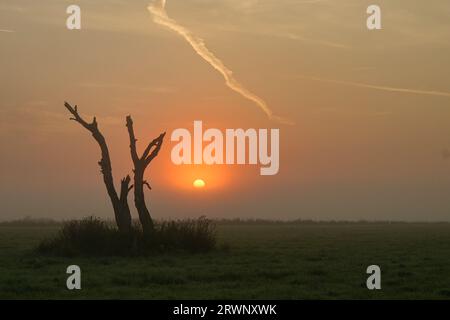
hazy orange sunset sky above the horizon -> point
(368, 111)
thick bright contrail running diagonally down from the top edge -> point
(158, 11)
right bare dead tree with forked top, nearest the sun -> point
(140, 164)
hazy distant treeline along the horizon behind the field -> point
(31, 222)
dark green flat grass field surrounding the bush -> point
(255, 261)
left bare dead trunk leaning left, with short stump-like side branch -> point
(120, 204)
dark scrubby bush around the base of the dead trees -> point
(94, 237)
